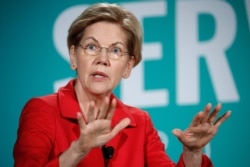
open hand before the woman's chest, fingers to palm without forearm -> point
(95, 125)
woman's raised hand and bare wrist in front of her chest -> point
(95, 131)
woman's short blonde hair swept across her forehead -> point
(112, 13)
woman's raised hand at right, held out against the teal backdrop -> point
(202, 129)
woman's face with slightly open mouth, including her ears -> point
(99, 74)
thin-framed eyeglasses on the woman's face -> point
(113, 52)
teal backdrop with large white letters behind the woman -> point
(194, 52)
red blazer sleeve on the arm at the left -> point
(35, 138)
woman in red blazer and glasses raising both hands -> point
(84, 124)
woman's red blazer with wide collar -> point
(48, 125)
